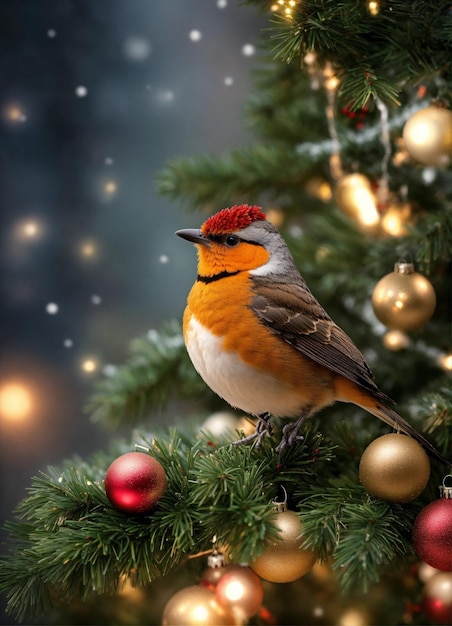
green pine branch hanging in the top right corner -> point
(373, 54)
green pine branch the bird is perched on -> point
(70, 543)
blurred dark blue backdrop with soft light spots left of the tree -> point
(95, 97)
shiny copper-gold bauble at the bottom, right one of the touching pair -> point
(240, 590)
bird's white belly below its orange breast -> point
(241, 385)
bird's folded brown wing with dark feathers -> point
(291, 311)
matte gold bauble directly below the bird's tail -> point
(394, 467)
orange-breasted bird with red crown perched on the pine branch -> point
(259, 338)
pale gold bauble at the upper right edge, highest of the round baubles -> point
(428, 136)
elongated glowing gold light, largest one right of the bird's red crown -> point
(355, 197)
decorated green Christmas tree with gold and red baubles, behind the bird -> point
(351, 160)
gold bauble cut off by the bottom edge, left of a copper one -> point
(196, 606)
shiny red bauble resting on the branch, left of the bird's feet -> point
(134, 482)
